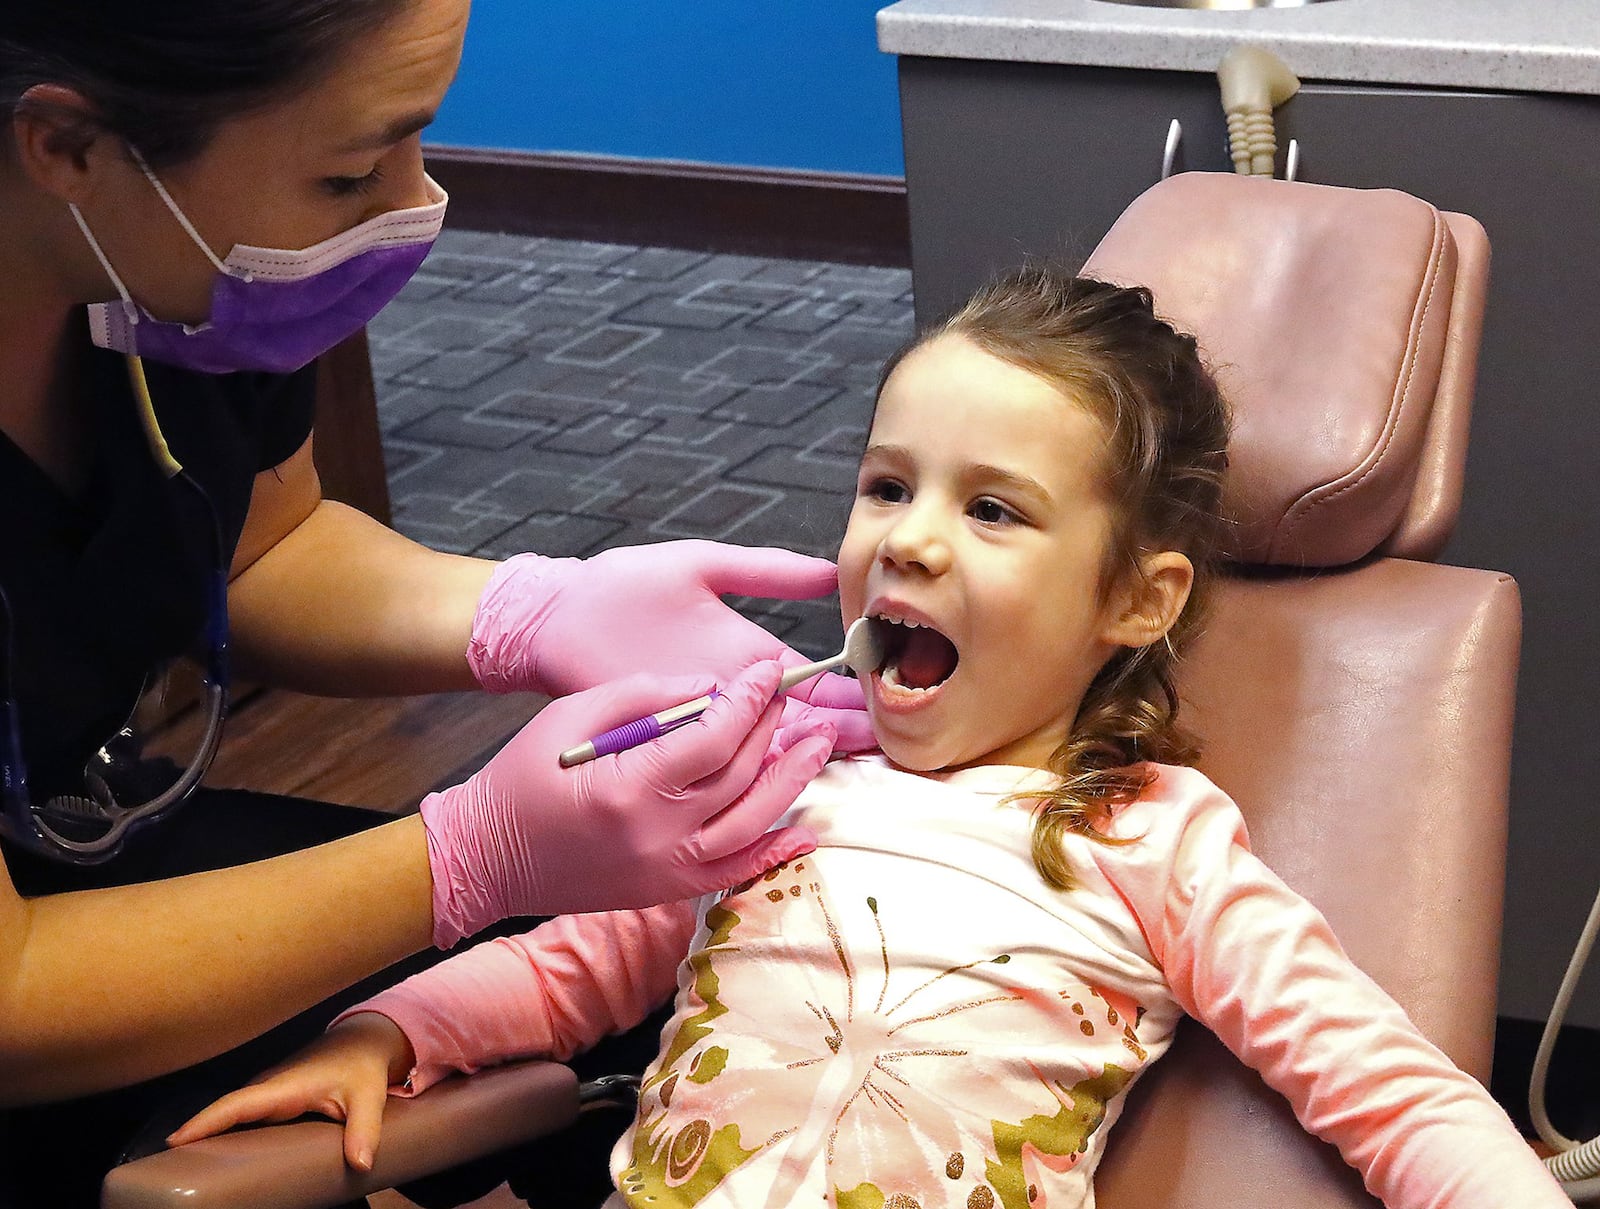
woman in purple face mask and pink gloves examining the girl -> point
(196, 201)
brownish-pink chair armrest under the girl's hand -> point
(302, 1165)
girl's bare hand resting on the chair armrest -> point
(343, 1075)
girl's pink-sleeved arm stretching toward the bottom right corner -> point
(1260, 967)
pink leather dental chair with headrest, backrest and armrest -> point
(1356, 698)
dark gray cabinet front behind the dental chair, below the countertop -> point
(1031, 159)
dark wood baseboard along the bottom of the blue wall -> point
(668, 204)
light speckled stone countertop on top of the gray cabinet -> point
(1505, 46)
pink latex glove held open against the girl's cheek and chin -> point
(564, 624)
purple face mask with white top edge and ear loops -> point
(274, 309)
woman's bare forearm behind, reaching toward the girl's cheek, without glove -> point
(346, 607)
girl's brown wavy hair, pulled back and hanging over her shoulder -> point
(1167, 453)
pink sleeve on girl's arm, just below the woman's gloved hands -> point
(546, 994)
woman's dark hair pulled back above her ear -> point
(166, 74)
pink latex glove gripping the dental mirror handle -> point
(671, 820)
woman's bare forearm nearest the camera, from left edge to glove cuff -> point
(100, 989)
